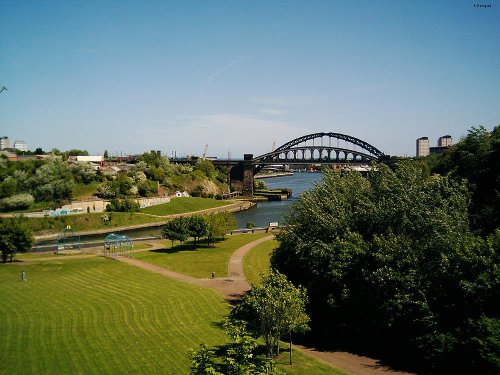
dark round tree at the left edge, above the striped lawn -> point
(15, 237)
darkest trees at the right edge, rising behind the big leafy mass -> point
(476, 158)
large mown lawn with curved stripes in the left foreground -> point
(97, 316)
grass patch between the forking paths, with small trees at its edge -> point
(201, 262)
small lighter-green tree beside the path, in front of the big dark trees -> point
(277, 308)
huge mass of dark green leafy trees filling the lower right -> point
(391, 266)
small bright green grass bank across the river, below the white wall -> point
(183, 205)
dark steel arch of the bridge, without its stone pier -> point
(297, 151)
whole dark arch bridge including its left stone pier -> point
(317, 148)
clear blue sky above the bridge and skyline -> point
(132, 76)
